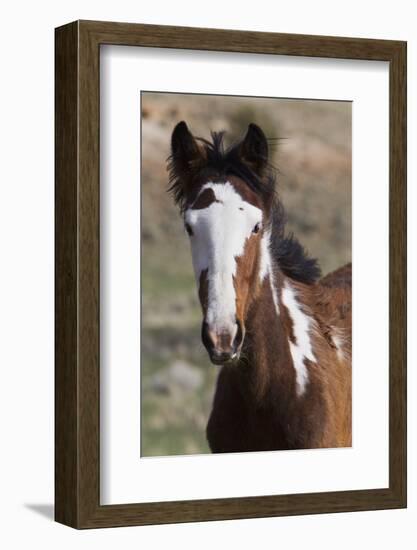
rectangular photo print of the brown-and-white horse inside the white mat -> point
(245, 274)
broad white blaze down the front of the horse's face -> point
(219, 233)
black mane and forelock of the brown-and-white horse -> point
(222, 161)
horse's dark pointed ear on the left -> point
(186, 154)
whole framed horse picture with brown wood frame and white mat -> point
(230, 274)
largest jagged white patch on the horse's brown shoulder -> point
(302, 324)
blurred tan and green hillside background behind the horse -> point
(314, 161)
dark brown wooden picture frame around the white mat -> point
(77, 274)
